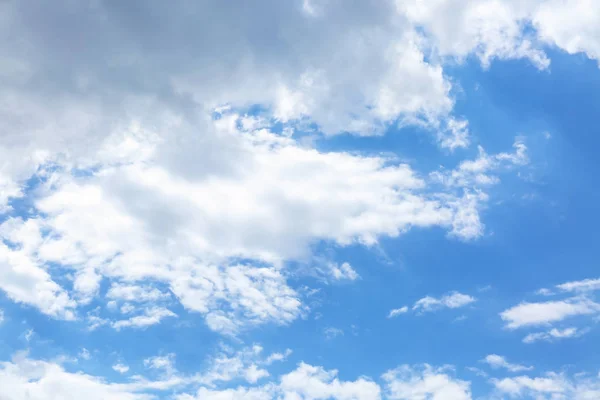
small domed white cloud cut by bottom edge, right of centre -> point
(424, 382)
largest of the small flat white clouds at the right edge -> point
(543, 313)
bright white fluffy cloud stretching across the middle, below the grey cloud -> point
(140, 221)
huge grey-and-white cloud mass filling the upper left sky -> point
(171, 197)
